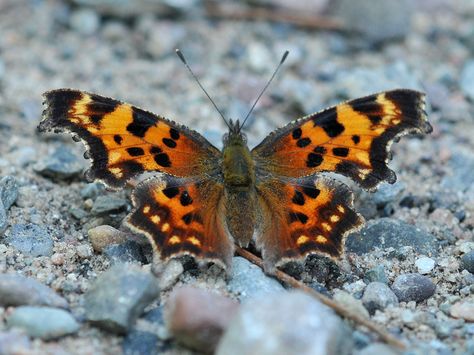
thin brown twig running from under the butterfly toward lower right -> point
(338, 308)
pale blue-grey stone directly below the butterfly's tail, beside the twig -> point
(248, 280)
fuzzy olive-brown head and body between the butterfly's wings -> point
(238, 169)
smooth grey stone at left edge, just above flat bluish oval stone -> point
(18, 290)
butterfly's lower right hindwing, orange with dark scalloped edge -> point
(304, 216)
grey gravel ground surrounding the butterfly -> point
(62, 243)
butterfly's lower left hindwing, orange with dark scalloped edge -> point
(182, 217)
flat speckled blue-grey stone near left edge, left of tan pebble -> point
(31, 239)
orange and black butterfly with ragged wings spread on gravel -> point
(204, 199)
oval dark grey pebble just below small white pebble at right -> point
(413, 287)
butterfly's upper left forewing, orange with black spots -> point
(123, 140)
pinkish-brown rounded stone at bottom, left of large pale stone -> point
(198, 318)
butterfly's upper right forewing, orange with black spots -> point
(352, 138)
